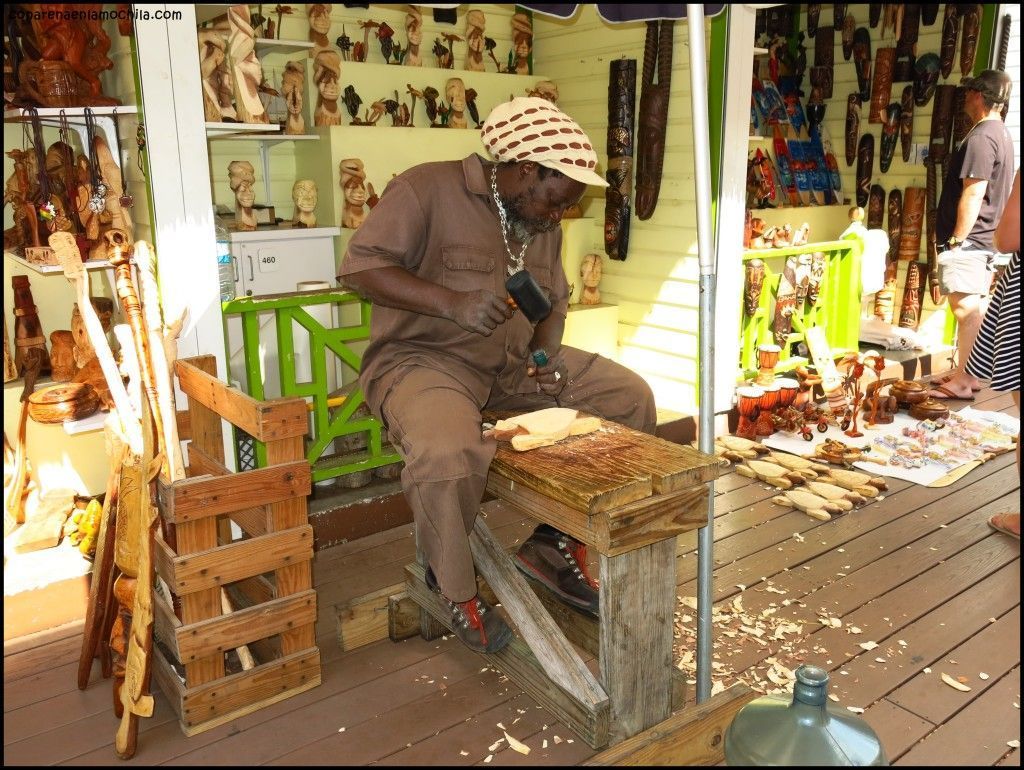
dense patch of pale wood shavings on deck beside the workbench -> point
(736, 630)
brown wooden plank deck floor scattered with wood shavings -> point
(919, 573)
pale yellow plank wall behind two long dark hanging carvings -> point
(656, 287)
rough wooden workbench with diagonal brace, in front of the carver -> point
(627, 495)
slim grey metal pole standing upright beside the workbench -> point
(707, 258)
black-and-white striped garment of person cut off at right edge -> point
(997, 353)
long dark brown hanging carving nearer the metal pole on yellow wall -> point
(654, 115)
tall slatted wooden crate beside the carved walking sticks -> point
(266, 574)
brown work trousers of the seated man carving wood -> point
(435, 421)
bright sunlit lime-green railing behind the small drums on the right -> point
(837, 310)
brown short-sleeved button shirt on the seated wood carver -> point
(439, 222)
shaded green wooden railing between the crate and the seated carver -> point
(333, 418)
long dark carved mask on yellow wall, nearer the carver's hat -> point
(618, 199)
